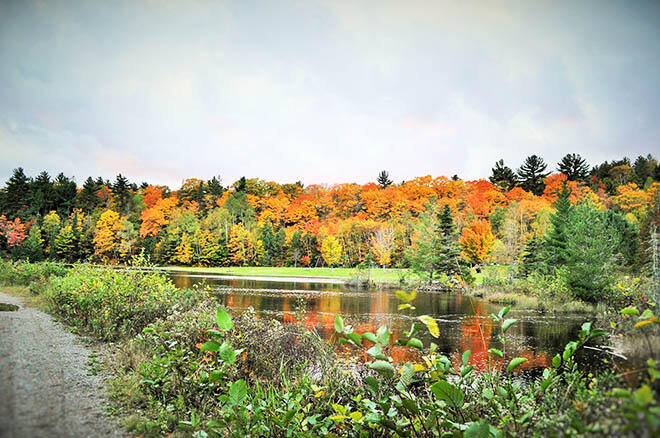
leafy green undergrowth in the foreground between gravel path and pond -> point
(183, 366)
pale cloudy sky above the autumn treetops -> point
(322, 91)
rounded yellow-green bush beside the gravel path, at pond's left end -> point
(110, 304)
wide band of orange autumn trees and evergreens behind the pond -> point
(436, 225)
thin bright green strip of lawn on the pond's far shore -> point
(389, 275)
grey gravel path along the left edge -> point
(45, 389)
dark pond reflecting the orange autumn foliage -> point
(463, 321)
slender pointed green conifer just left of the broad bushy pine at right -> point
(557, 238)
